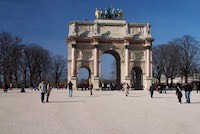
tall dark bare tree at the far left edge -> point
(9, 57)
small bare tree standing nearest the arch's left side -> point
(58, 68)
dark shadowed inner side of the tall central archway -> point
(116, 65)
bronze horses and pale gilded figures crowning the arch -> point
(109, 13)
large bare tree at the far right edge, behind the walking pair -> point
(189, 55)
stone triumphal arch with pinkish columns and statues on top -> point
(130, 43)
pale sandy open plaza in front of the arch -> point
(106, 112)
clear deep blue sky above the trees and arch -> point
(45, 22)
